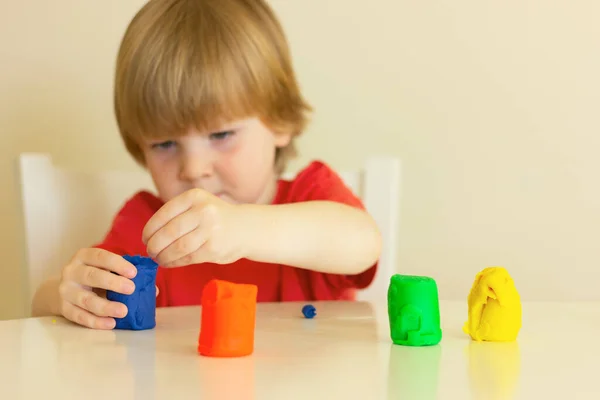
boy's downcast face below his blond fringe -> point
(235, 162)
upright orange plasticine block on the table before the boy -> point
(228, 319)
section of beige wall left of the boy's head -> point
(56, 70)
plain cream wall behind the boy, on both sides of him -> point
(492, 106)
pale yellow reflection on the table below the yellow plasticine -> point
(494, 369)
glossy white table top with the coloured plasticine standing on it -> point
(345, 352)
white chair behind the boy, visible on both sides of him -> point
(65, 210)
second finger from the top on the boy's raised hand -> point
(176, 228)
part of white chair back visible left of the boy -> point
(65, 210)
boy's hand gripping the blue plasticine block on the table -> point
(83, 284)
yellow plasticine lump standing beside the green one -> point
(494, 307)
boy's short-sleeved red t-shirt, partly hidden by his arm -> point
(182, 286)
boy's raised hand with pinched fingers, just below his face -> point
(195, 227)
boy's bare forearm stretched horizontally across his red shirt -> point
(317, 235)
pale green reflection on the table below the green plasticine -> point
(413, 372)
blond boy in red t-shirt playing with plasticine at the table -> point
(206, 99)
